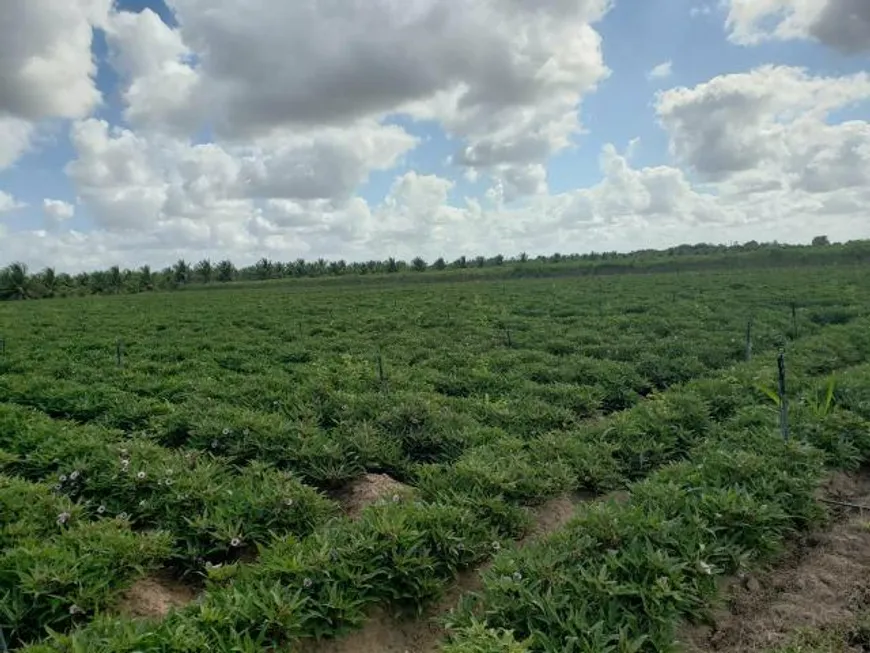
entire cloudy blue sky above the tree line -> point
(143, 131)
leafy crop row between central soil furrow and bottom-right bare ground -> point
(622, 576)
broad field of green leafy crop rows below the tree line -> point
(212, 436)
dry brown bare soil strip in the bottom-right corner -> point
(821, 583)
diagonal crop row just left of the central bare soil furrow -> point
(405, 552)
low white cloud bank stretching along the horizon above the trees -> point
(629, 208)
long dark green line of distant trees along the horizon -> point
(17, 282)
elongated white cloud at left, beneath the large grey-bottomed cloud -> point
(132, 181)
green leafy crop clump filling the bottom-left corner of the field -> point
(56, 566)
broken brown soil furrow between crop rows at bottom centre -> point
(386, 633)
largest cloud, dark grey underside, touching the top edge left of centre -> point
(505, 77)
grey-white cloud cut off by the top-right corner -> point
(841, 24)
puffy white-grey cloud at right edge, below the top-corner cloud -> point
(769, 125)
